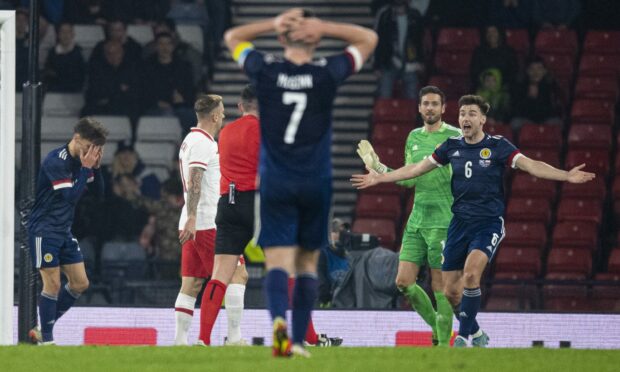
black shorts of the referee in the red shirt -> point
(235, 223)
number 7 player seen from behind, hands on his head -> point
(295, 96)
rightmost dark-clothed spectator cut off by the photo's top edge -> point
(559, 14)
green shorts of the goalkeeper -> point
(422, 246)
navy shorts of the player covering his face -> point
(53, 252)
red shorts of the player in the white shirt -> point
(197, 255)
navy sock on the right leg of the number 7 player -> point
(304, 296)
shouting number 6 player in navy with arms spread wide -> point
(478, 162)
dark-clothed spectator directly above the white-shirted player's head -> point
(168, 87)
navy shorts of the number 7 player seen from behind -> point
(294, 212)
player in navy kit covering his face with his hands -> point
(62, 180)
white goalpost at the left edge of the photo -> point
(7, 173)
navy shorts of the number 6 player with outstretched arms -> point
(483, 234)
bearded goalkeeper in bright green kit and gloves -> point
(427, 227)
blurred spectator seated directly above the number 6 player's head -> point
(493, 91)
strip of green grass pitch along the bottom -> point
(254, 359)
